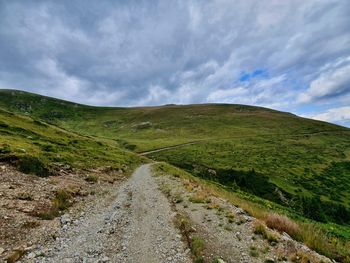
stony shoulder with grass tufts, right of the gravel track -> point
(226, 231)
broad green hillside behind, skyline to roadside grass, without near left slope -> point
(296, 162)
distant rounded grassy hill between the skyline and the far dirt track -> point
(168, 125)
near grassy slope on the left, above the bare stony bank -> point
(22, 137)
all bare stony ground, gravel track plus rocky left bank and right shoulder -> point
(136, 221)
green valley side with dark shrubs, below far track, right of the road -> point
(292, 171)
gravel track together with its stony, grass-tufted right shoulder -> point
(135, 223)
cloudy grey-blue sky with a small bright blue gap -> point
(291, 55)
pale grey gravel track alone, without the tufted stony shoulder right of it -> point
(133, 226)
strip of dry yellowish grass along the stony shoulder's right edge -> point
(310, 234)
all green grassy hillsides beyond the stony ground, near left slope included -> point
(272, 159)
